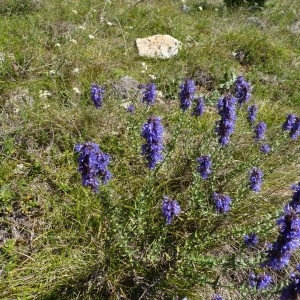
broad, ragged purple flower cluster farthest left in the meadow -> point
(92, 165)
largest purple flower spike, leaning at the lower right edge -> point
(279, 253)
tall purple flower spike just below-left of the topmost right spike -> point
(225, 126)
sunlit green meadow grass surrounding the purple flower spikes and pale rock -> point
(59, 239)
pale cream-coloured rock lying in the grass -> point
(160, 46)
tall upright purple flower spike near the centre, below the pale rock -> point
(152, 131)
